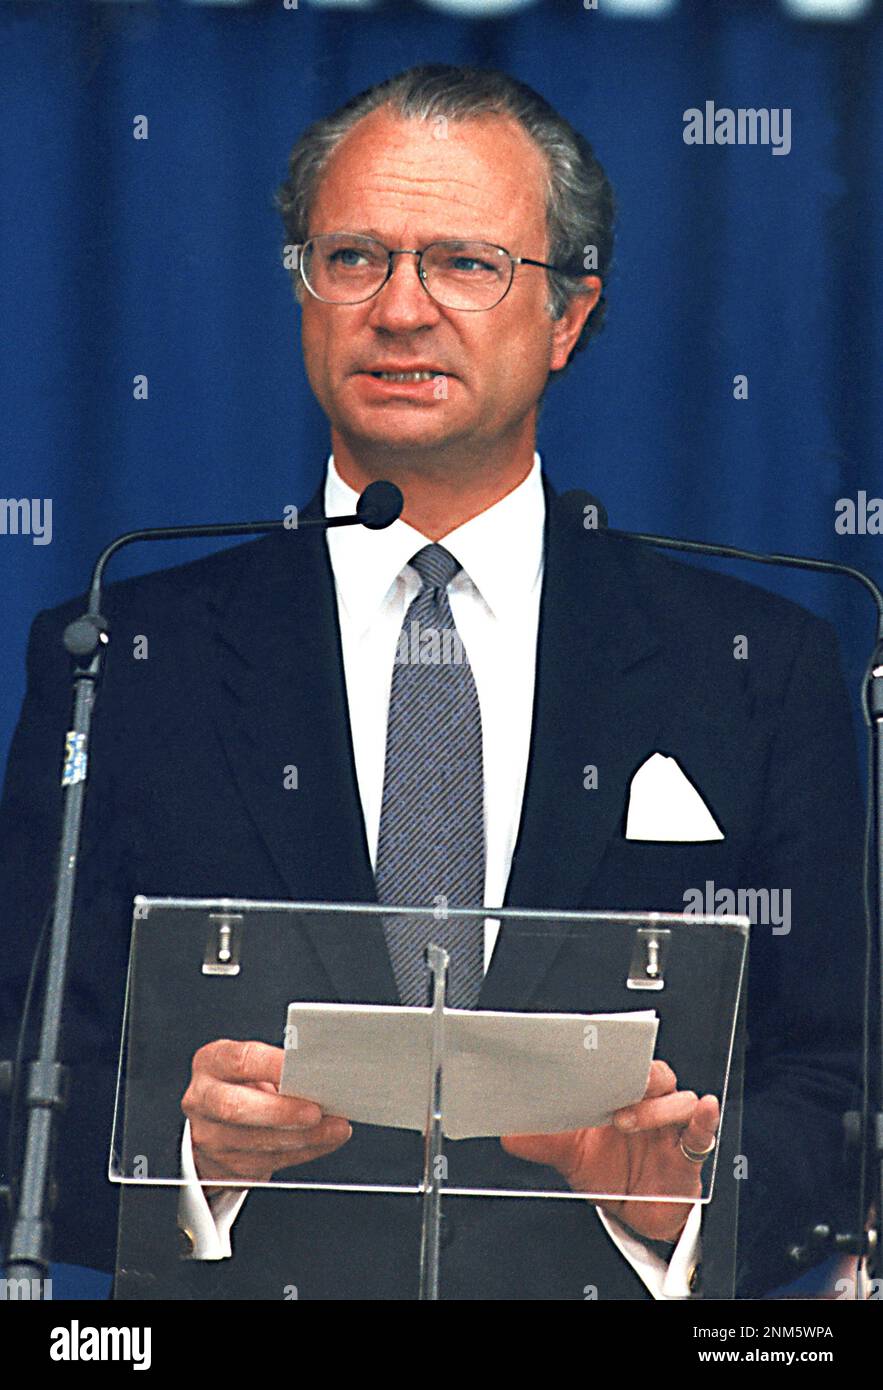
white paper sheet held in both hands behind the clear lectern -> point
(505, 1074)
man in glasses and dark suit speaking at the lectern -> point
(441, 226)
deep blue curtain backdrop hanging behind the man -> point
(162, 258)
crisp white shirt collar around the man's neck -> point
(500, 550)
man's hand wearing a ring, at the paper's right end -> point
(639, 1153)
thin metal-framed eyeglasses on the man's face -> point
(348, 269)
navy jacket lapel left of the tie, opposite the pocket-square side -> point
(283, 707)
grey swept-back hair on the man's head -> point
(579, 198)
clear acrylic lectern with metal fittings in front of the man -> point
(574, 1008)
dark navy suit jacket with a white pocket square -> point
(636, 655)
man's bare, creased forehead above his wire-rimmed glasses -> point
(425, 180)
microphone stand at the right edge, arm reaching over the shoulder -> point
(823, 1236)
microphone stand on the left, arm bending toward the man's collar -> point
(87, 640)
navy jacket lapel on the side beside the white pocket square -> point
(593, 710)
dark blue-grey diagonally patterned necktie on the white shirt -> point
(432, 826)
